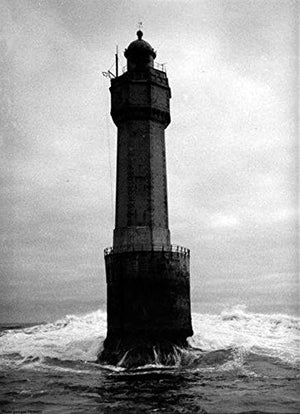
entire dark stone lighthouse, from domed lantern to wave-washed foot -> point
(148, 288)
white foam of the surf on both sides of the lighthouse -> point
(78, 338)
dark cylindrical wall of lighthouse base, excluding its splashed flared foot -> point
(148, 294)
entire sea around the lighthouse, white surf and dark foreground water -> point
(239, 362)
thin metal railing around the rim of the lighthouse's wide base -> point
(147, 248)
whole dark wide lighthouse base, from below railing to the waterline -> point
(148, 307)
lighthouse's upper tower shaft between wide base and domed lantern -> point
(140, 109)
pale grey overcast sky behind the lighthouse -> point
(231, 148)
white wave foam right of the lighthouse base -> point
(274, 335)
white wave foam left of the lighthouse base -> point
(71, 338)
